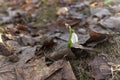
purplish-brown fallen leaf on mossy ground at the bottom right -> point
(100, 68)
